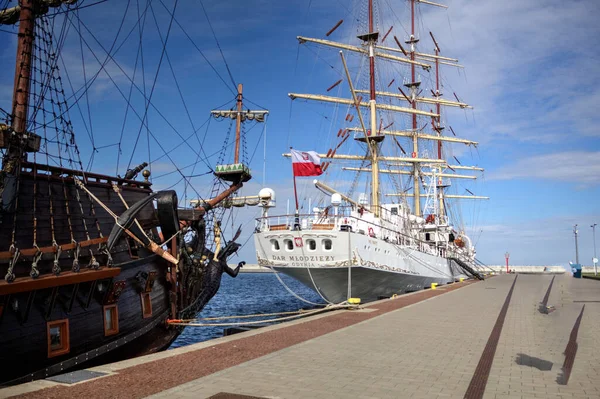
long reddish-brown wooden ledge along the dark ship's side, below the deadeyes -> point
(25, 284)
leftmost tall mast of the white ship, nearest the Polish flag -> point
(373, 143)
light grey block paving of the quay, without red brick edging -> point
(431, 349)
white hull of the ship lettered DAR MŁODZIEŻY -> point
(376, 268)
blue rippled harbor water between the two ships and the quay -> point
(248, 293)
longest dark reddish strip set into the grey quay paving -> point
(482, 371)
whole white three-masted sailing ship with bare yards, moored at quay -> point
(402, 238)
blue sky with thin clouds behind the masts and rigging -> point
(530, 72)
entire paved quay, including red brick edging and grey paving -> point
(490, 339)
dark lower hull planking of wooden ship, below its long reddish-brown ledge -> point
(89, 344)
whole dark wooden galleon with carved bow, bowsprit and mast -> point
(93, 266)
